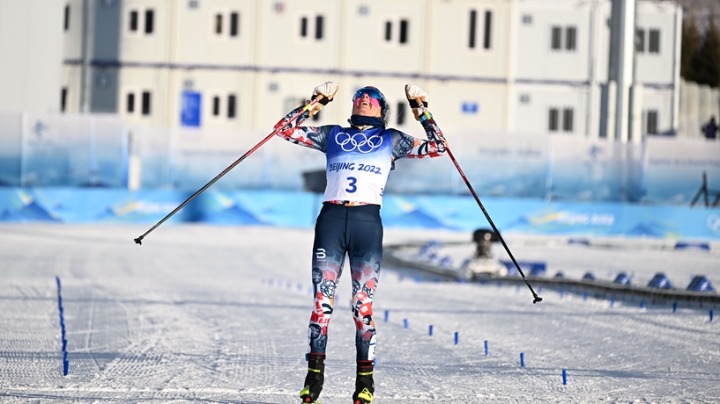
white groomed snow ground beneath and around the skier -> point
(219, 314)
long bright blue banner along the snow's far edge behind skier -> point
(299, 209)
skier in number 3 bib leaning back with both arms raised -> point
(359, 159)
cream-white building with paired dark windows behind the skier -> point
(501, 66)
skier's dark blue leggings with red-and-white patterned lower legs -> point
(356, 231)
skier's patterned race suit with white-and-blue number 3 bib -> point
(357, 168)
